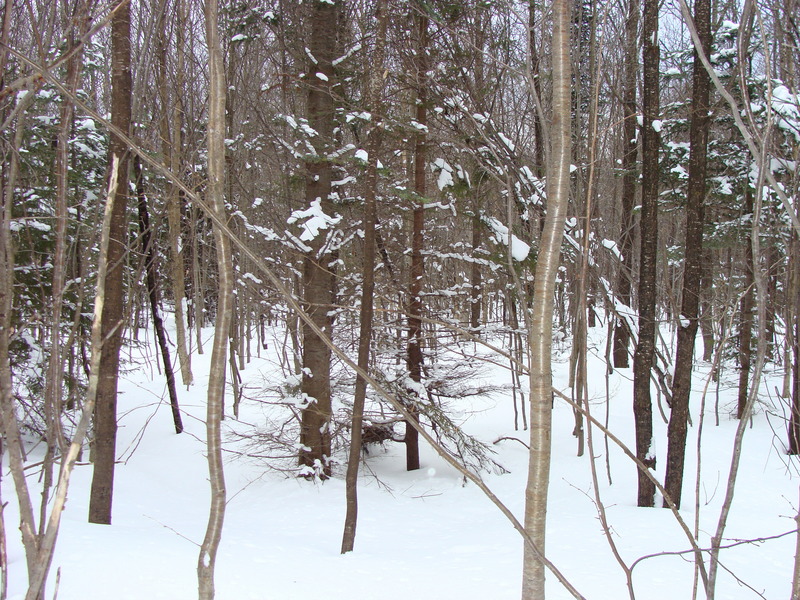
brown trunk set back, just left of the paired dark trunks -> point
(629, 178)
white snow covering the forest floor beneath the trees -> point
(422, 534)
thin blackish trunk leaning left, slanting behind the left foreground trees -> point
(154, 294)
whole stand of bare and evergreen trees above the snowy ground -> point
(395, 211)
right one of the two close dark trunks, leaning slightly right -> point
(692, 264)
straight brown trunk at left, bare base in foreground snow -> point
(105, 426)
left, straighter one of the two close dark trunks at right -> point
(648, 227)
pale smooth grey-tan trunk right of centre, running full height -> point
(541, 321)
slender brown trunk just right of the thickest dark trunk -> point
(374, 104)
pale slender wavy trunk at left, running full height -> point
(216, 378)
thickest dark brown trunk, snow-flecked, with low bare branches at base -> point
(319, 280)
